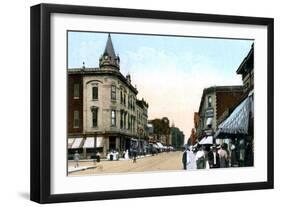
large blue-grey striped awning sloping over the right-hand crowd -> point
(238, 121)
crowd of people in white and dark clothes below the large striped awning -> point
(203, 157)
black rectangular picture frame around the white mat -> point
(41, 95)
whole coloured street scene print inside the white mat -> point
(143, 103)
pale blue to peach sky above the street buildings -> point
(179, 67)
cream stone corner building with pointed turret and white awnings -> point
(106, 115)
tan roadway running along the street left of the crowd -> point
(162, 161)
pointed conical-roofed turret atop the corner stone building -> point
(109, 60)
